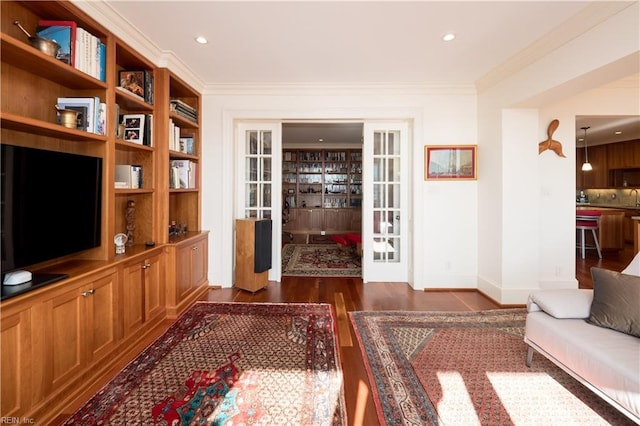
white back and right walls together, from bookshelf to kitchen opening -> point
(510, 232)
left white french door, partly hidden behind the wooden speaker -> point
(259, 180)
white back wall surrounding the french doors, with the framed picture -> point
(444, 219)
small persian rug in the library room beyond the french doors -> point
(319, 260)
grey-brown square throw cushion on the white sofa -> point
(615, 303)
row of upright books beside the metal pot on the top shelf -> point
(78, 47)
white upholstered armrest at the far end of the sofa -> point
(561, 303)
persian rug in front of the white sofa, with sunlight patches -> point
(468, 368)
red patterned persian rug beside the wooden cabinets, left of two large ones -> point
(231, 364)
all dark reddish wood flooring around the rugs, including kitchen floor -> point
(350, 294)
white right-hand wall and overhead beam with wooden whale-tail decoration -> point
(537, 231)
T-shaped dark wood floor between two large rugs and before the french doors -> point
(350, 294)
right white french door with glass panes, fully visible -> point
(385, 204)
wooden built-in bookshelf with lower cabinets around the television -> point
(58, 337)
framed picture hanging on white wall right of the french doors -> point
(450, 162)
